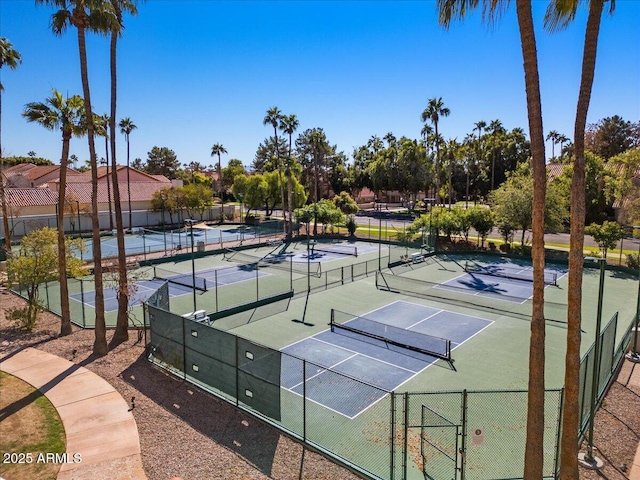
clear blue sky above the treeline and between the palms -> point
(195, 73)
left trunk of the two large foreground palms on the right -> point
(534, 458)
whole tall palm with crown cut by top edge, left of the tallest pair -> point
(87, 15)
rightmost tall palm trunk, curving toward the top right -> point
(571, 414)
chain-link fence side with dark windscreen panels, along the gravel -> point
(342, 416)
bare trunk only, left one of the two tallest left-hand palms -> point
(100, 347)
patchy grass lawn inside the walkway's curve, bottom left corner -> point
(30, 426)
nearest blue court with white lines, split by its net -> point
(371, 361)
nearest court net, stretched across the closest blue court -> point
(385, 334)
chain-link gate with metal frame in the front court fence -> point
(439, 446)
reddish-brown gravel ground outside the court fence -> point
(187, 433)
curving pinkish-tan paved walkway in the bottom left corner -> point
(96, 419)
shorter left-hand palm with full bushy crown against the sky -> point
(68, 116)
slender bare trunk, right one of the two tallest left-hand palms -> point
(122, 325)
